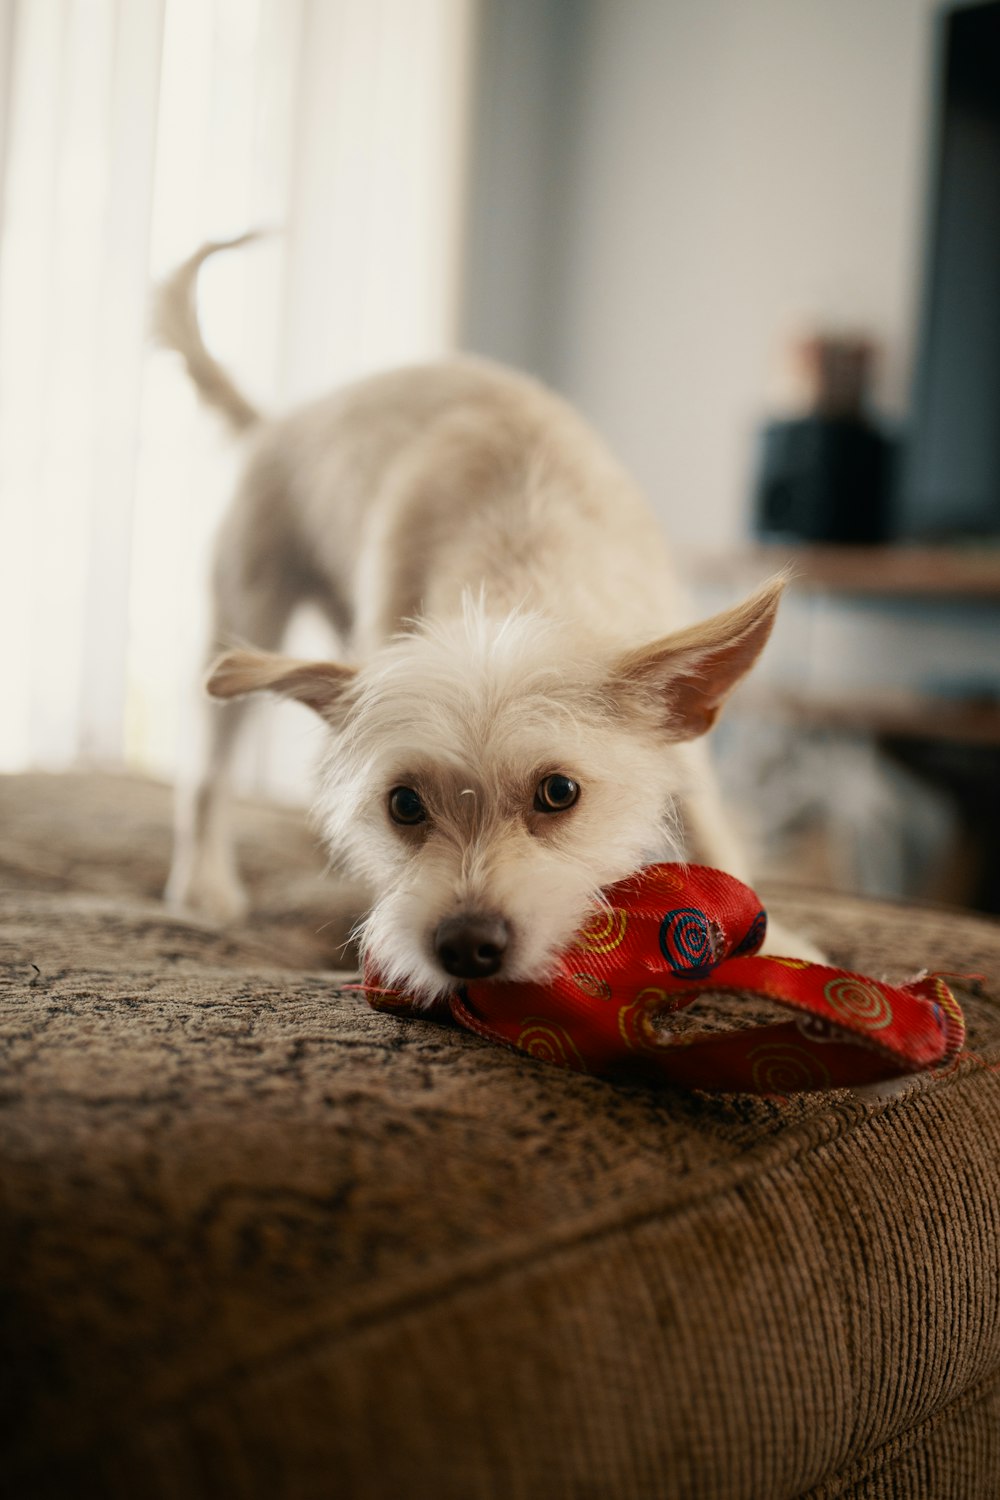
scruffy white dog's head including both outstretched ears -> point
(487, 778)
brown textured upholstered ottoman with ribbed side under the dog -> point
(260, 1241)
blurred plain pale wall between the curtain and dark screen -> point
(665, 191)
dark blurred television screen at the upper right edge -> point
(953, 472)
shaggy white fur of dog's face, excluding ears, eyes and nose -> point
(473, 715)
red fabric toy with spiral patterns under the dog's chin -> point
(671, 935)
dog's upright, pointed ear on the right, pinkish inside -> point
(684, 679)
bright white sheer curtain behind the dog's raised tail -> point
(130, 133)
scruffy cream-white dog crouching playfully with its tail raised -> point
(521, 724)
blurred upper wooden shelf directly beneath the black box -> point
(887, 572)
